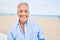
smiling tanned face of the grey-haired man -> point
(23, 13)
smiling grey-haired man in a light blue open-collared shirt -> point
(24, 28)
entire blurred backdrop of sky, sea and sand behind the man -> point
(45, 12)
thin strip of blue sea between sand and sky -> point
(40, 16)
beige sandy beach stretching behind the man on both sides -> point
(50, 26)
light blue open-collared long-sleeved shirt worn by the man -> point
(32, 31)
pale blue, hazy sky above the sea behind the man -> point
(36, 7)
